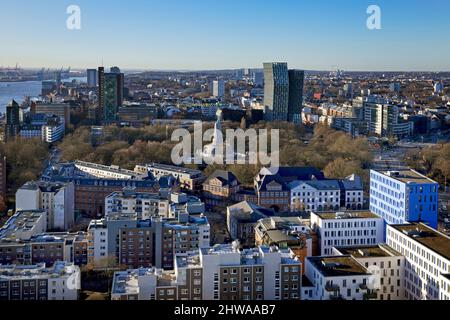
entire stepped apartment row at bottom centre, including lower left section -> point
(219, 273)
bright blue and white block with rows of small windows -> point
(404, 196)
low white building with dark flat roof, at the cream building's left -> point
(338, 278)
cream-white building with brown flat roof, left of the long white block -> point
(385, 264)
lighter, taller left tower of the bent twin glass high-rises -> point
(276, 91)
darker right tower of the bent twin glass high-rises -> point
(296, 81)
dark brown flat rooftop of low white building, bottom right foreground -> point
(338, 266)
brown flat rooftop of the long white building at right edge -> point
(427, 237)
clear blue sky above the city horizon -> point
(218, 34)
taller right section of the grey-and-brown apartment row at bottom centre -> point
(227, 273)
